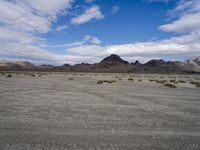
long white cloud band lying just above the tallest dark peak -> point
(186, 45)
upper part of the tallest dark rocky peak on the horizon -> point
(113, 59)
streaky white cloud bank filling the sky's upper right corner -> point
(188, 17)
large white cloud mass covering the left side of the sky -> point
(21, 21)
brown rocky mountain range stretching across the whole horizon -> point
(112, 63)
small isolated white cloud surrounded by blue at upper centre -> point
(92, 13)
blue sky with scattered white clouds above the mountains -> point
(75, 31)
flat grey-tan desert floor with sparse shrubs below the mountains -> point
(81, 111)
